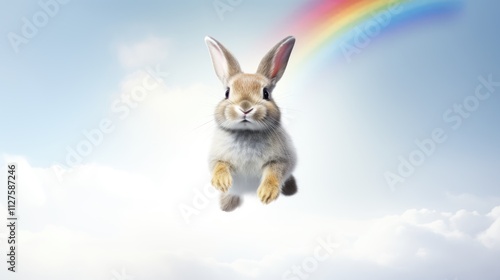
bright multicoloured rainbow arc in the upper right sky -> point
(327, 27)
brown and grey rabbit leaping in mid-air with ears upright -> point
(250, 150)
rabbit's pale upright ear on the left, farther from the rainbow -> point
(225, 64)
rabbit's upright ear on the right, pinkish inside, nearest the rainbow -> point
(274, 63)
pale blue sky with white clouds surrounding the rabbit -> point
(350, 120)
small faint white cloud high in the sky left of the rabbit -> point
(148, 52)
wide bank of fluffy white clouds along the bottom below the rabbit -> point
(109, 219)
